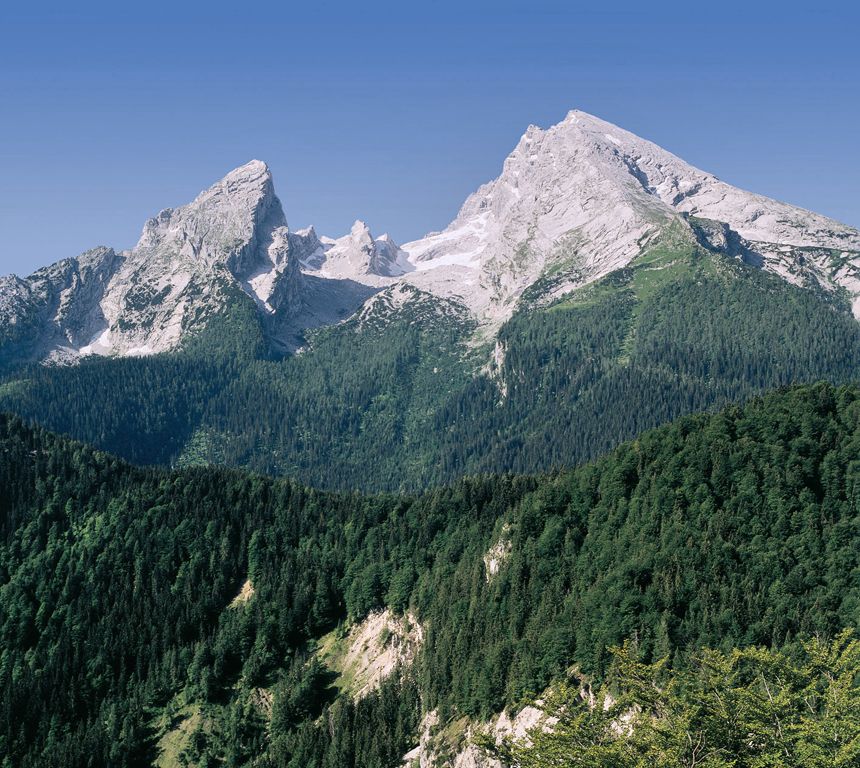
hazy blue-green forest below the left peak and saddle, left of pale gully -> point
(354, 413)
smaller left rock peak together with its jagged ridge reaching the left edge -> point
(182, 272)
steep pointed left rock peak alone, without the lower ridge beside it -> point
(187, 258)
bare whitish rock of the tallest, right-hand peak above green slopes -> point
(584, 197)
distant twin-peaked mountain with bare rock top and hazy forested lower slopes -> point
(643, 290)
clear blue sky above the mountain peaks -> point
(394, 112)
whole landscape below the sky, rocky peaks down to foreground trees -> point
(271, 498)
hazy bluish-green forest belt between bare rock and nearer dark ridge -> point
(418, 401)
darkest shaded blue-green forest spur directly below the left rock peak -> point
(144, 409)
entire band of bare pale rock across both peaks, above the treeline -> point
(573, 203)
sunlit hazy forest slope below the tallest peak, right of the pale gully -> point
(589, 373)
